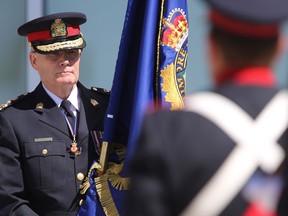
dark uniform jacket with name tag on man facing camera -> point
(38, 174)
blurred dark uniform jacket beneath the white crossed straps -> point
(179, 151)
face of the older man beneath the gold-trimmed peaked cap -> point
(58, 69)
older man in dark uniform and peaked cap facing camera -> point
(43, 156)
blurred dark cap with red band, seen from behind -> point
(255, 18)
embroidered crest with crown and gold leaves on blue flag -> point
(172, 73)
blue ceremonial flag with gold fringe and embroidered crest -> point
(149, 74)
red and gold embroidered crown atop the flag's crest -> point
(175, 29)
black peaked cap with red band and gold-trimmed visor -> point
(55, 32)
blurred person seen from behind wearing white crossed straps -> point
(225, 153)
